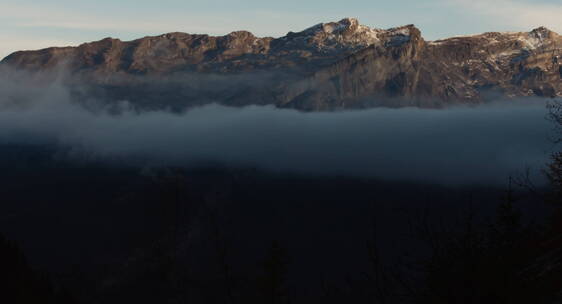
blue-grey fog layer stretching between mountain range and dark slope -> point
(460, 145)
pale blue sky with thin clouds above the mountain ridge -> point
(32, 24)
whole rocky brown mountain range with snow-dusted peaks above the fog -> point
(328, 66)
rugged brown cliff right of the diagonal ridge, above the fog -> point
(433, 74)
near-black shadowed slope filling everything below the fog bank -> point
(224, 235)
